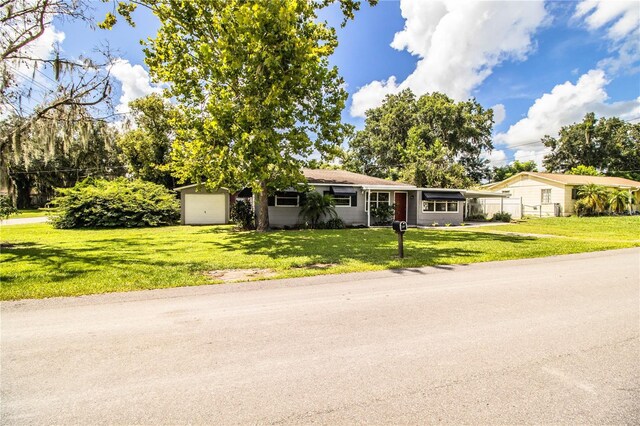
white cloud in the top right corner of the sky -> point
(621, 20)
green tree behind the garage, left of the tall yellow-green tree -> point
(146, 146)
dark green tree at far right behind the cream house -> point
(610, 145)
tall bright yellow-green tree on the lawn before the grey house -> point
(255, 89)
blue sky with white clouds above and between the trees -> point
(541, 65)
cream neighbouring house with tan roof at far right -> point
(552, 194)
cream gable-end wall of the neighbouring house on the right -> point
(530, 190)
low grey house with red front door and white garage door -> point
(353, 193)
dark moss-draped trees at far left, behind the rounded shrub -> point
(45, 154)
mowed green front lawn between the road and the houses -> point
(45, 262)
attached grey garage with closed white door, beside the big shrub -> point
(202, 207)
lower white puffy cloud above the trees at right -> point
(567, 103)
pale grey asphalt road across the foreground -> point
(552, 340)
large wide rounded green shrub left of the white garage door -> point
(120, 203)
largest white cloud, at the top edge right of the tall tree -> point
(458, 43)
